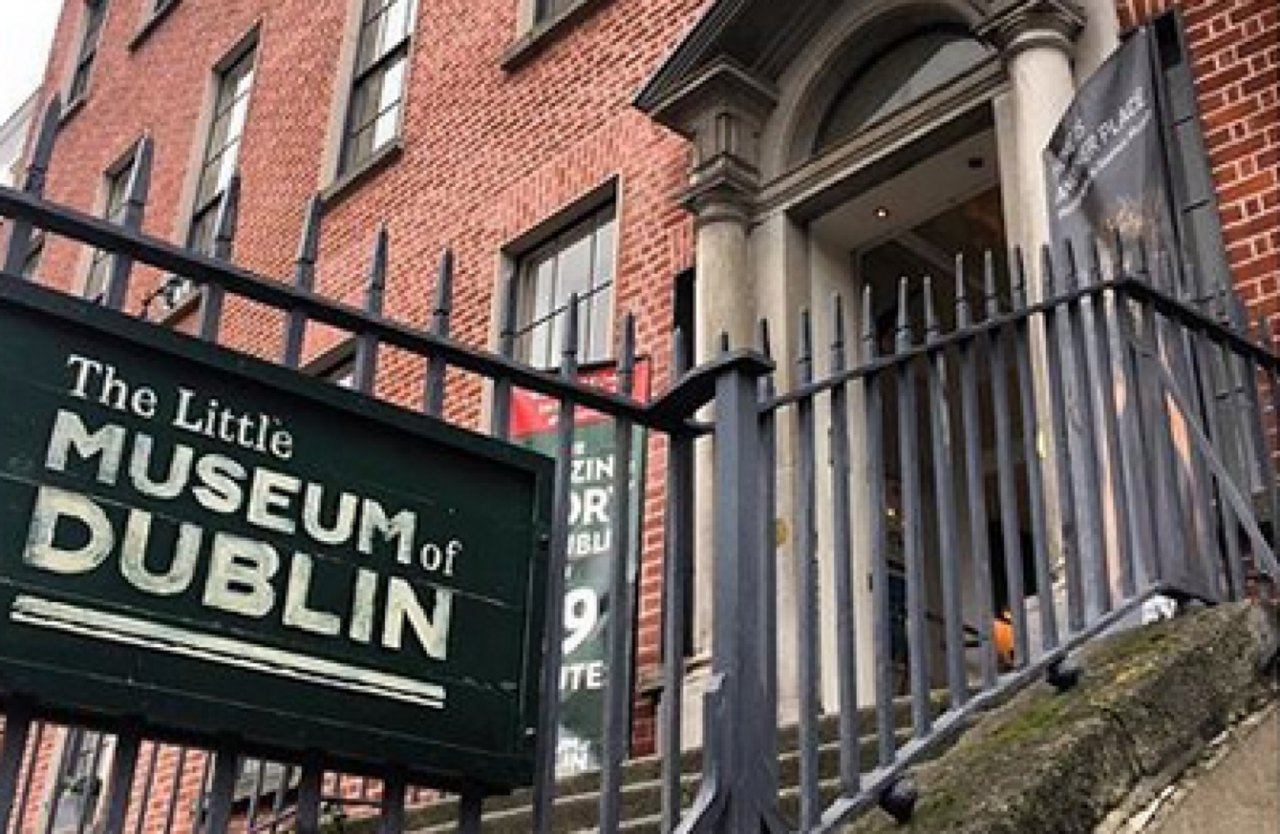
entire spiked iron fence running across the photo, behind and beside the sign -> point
(972, 479)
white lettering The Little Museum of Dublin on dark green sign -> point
(235, 574)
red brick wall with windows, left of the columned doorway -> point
(488, 154)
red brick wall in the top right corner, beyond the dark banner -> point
(1236, 51)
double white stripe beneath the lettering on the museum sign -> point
(118, 629)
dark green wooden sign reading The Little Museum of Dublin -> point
(218, 547)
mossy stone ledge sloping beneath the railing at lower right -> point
(1151, 702)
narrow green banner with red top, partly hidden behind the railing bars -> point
(592, 553)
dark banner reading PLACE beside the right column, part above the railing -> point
(1105, 164)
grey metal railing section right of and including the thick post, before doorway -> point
(1013, 478)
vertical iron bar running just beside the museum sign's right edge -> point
(554, 643)
